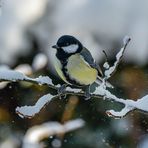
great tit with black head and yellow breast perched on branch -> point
(75, 64)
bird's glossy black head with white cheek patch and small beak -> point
(68, 44)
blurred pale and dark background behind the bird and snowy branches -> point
(29, 28)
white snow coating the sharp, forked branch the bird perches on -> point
(101, 91)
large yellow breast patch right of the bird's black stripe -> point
(80, 71)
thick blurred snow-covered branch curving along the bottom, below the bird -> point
(37, 133)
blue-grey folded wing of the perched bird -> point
(90, 60)
